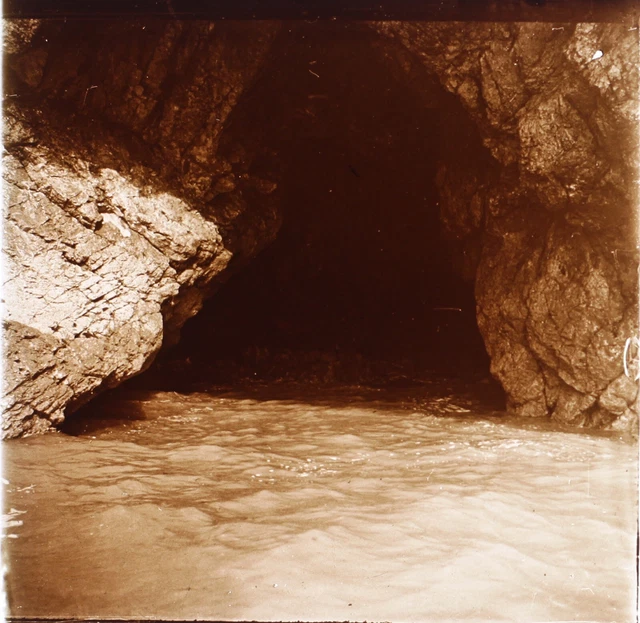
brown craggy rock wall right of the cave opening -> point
(555, 232)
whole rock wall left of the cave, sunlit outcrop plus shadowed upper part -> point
(109, 242)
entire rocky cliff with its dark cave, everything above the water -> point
(352, 202)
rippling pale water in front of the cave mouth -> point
(347, 505)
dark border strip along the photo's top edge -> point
(427, 10)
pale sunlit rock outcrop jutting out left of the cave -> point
(91, 265)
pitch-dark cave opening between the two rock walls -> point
(362, 285)
